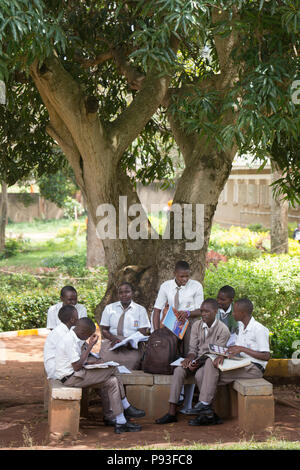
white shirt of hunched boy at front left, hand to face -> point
(68, 351)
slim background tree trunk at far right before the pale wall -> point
(279, 220)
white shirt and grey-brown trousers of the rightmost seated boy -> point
(256, 337)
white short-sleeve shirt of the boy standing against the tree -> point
(190, 295)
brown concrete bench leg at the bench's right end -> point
(255, 412)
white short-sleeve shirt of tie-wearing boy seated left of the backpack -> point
(136, 317)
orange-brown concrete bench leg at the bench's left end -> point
(64, 416)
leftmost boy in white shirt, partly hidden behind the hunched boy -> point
(68, 317)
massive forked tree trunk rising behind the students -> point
(94, 152)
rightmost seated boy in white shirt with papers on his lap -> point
(252, 342)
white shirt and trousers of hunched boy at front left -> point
(69, 351)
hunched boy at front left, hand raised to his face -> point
(70, 361)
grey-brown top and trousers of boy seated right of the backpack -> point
(201, 337)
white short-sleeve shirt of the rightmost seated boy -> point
(255, 336)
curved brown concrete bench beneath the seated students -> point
(249, 400)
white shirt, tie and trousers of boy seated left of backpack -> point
(122, 323)
